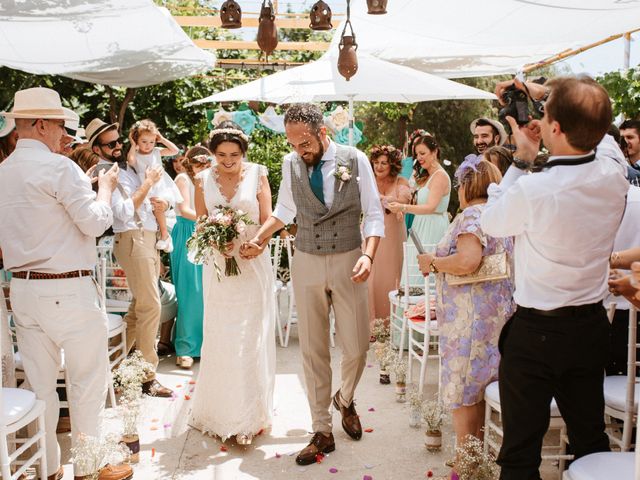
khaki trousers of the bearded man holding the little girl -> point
(135, 251)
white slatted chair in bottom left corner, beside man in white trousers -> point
(20, 409)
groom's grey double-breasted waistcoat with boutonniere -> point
(323, 231)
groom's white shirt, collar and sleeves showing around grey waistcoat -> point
(373, 223)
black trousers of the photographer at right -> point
(561, 357)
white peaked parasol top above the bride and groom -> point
(375, 81)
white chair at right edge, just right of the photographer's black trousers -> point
(621, 392)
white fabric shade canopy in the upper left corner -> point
(128, 43)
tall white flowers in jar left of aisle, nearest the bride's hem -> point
(128, 379)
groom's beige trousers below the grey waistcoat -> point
(320, 281)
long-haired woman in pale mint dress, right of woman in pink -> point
(434, 190)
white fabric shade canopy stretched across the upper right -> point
(466, 38)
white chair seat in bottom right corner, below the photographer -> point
(614, 465)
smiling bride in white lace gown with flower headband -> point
(234, 394)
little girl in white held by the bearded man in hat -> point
(144, 154)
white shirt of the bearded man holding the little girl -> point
(123, 211)
